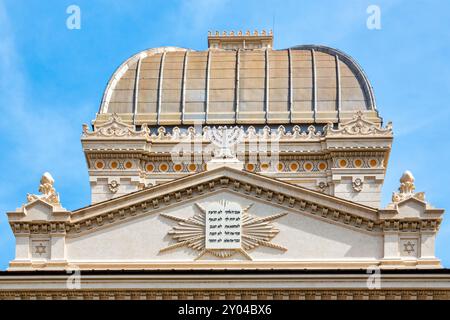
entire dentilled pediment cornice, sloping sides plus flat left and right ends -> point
(292, 197)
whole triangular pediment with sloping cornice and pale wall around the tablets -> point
(170, 223)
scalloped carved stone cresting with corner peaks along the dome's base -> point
(359, 127)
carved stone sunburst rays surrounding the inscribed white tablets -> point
(255, 232)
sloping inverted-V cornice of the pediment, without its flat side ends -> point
(249, 184)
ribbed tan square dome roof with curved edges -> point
(176, 86)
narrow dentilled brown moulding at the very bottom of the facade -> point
(229, 294)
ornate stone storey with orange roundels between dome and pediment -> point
(150, 155)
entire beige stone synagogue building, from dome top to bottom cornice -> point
(241, 158)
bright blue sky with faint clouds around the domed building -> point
(52, 79)
